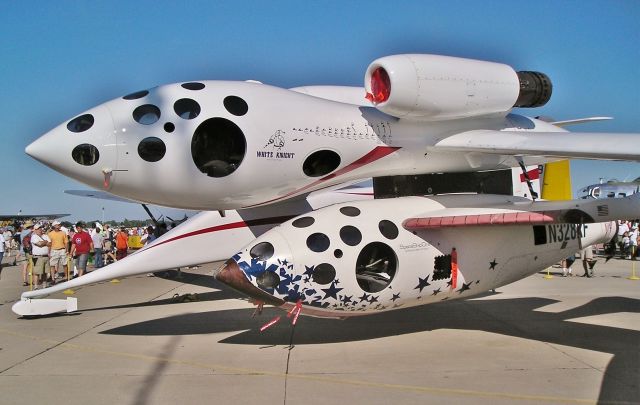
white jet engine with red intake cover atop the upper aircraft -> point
(434, 87)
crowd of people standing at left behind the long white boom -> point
(50, 252)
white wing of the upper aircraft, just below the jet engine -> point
(581, 145)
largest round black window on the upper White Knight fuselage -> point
(218, 147)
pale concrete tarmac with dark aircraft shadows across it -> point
(562, 340)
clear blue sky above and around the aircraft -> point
(61, 58)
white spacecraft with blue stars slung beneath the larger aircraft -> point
(369, 256)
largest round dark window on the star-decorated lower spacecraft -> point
(376, 266)
